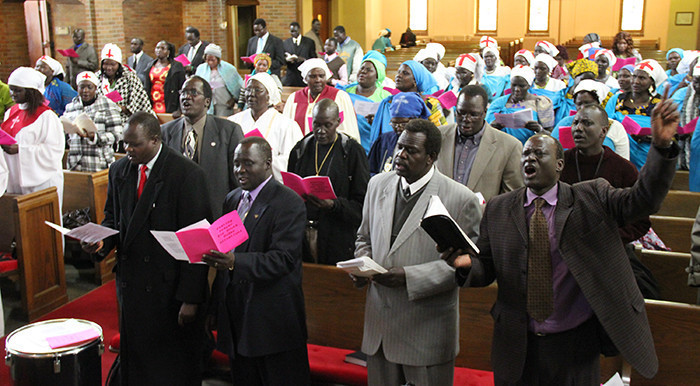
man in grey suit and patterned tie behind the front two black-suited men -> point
(207, 140)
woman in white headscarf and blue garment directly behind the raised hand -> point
(638, 105)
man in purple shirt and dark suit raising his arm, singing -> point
(566, 291)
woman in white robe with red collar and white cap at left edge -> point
(35, 161)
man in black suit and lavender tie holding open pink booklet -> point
(257, 297)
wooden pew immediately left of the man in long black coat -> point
(89, 190)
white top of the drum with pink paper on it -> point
(33, 339)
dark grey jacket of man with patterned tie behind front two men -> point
(218, 143)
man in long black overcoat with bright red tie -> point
(161, 323)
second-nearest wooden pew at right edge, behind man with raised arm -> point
(669, 270)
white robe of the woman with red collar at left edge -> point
(38, 163)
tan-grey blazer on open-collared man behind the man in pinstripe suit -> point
(496, 167)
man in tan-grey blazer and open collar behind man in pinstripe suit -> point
(475, 154)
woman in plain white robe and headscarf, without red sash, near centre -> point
(261, 95)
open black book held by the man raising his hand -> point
(444, 230)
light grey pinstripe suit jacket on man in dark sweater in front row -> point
(416, 325)
